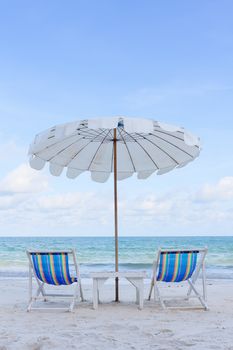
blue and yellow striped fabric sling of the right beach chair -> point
(176, 266)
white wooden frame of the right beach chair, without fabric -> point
(202, 296)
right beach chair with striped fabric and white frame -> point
(179, 265)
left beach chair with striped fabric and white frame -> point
(53, 268)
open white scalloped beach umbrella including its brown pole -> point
(120, 145)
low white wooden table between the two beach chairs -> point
(134, 277)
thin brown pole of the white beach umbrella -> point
(115, 214)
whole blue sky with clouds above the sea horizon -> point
(170, 61)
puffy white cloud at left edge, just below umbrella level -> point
(23, 179)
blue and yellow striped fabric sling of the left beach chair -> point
(52, 267)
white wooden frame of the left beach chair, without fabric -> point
(41, 292)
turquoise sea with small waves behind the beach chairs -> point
(97, 253)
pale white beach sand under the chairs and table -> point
(116, 326)
